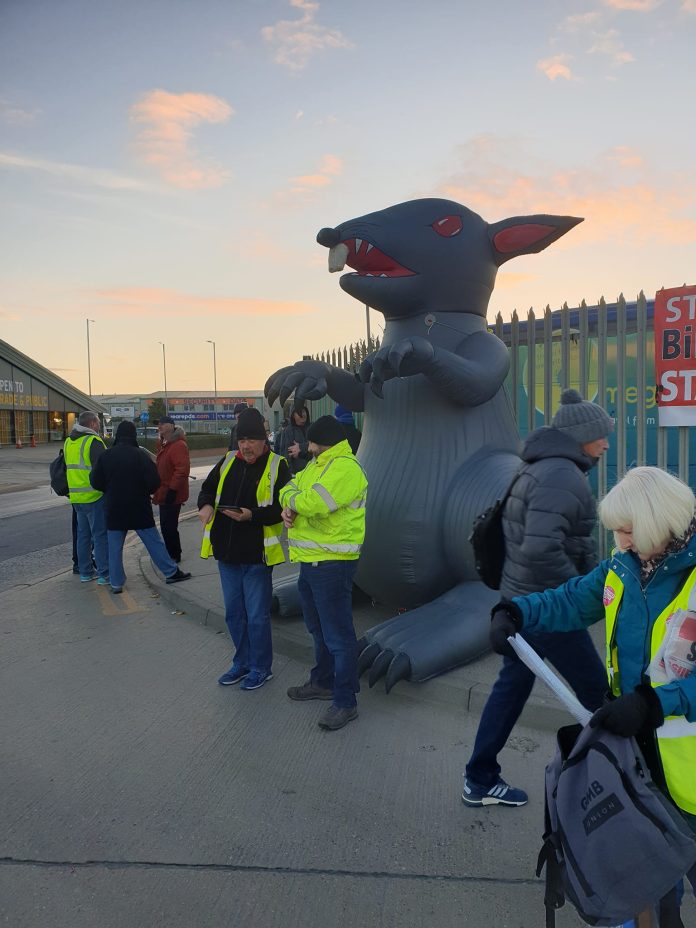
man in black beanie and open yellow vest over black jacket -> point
(240, 509)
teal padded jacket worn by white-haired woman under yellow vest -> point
(578, 604)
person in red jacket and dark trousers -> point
(173, 467)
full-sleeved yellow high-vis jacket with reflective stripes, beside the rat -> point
(329, 497)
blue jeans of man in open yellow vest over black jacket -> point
(247, 590)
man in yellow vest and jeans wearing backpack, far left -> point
(81, 450)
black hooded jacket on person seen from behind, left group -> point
(128, 477)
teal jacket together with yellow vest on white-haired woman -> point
(636, 618)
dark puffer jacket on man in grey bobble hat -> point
(549, 516)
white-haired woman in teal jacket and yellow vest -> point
(636, 590)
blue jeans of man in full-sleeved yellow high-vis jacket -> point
(326, 595)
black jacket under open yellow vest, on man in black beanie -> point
(241, 542)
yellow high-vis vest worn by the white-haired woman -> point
(676, 738)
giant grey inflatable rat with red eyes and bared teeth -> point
(439, 438)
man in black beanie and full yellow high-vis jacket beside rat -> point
(324, 511)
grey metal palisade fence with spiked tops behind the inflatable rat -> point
(606, 352)
